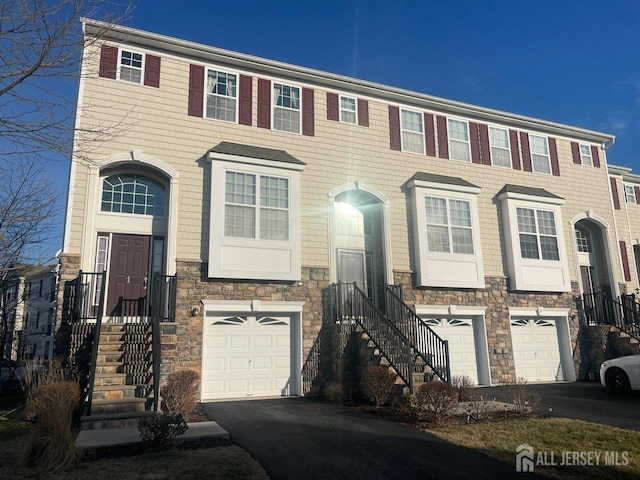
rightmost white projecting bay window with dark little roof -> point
(534, 240)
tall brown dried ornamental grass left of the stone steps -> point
(54, 408)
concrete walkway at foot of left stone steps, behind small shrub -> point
(118, 437)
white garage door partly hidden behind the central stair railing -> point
(462, 347)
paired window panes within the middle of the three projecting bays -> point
(449, 225)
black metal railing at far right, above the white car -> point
(600, 309)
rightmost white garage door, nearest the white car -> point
(536, 351)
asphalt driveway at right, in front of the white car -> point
(588, 401)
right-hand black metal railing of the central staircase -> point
(426, 343)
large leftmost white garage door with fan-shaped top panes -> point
(246, 356)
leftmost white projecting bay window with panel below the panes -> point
(254, 218)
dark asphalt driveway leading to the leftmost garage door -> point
(299, 438)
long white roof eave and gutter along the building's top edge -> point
(192, 50)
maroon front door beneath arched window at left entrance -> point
(128, 275)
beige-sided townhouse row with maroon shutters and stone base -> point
(259, 184)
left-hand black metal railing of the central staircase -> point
(351, 306)
